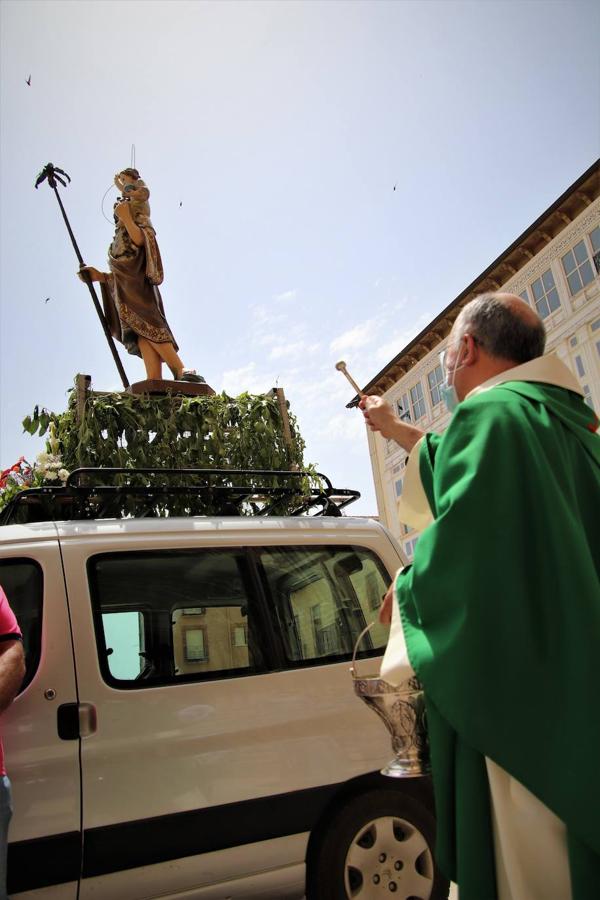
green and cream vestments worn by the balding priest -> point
(501, 617)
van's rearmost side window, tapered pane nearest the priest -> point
(323, 597)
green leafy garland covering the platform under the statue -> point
(141, 431)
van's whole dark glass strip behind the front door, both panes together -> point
(166, 616)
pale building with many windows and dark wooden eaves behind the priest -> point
(555, 267)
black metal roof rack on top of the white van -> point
(109, 493)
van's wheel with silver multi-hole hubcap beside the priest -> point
(380, 843)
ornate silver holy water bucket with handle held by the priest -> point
(402, 710)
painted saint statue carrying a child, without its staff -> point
(132, 303)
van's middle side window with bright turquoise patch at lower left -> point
(165, 616)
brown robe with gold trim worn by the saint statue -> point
(132, 303)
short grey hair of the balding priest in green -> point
(501, 330)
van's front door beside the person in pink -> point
(41, 753)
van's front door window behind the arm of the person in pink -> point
(23, 585)
